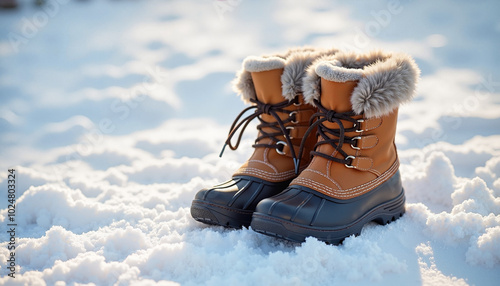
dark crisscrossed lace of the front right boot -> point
(335, 137)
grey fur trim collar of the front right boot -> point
(386, 80)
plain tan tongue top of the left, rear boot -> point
(268, 86)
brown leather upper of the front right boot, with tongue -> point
(371, 152)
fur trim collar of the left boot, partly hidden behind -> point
(294, 63)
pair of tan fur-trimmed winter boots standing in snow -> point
(325, 162)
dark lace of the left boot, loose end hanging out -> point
(278, 126)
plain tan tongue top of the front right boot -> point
(336, 96)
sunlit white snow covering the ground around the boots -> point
(113, 113)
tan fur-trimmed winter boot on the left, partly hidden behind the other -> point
(273, 84)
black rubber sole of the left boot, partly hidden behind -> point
(214, 214)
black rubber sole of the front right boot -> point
(285, 229)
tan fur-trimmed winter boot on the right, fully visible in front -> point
(353, 177)
